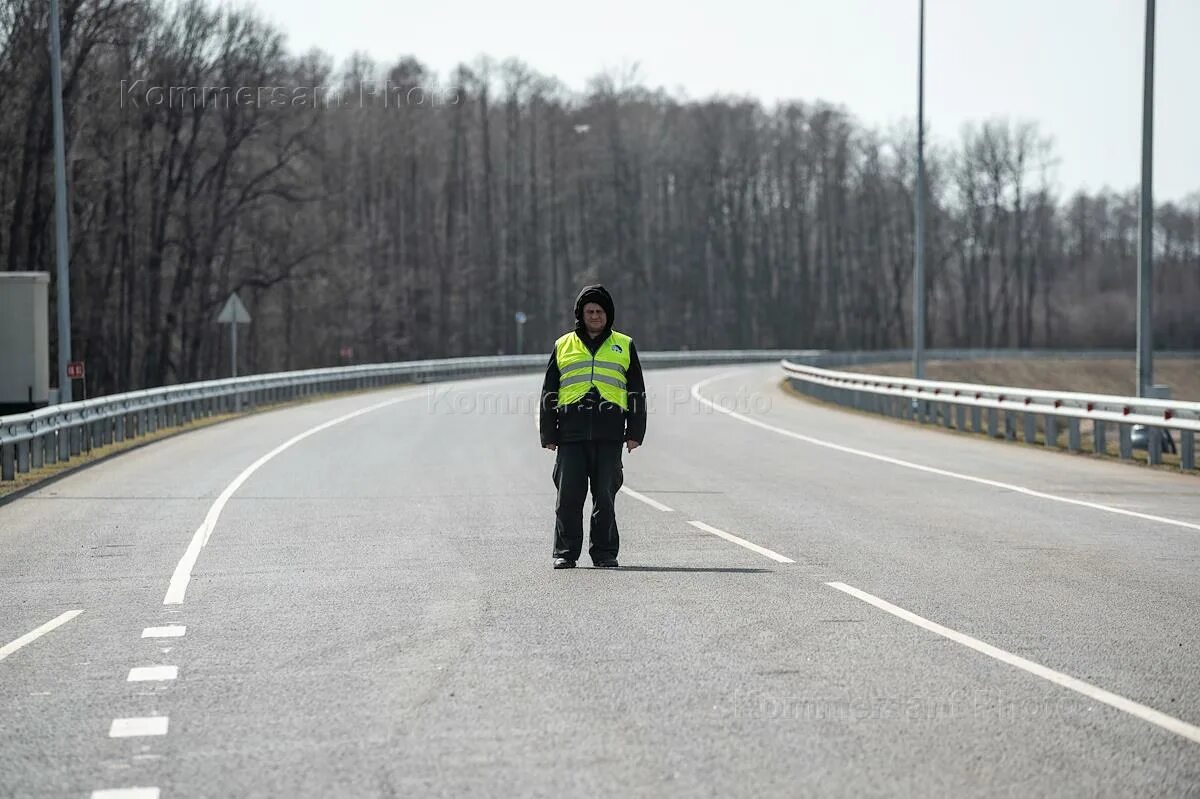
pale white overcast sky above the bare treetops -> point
(1075, 67)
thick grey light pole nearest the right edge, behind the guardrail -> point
(1147, 223)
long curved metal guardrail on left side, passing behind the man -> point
(58, 434)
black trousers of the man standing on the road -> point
(577, 465)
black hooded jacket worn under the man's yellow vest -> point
(593, 419)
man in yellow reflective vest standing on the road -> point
(593, 400)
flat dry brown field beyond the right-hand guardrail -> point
(1107, 376)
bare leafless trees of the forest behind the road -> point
(374, 213)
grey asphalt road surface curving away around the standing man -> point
(375, 612)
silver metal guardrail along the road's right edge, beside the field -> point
(951, 404)
